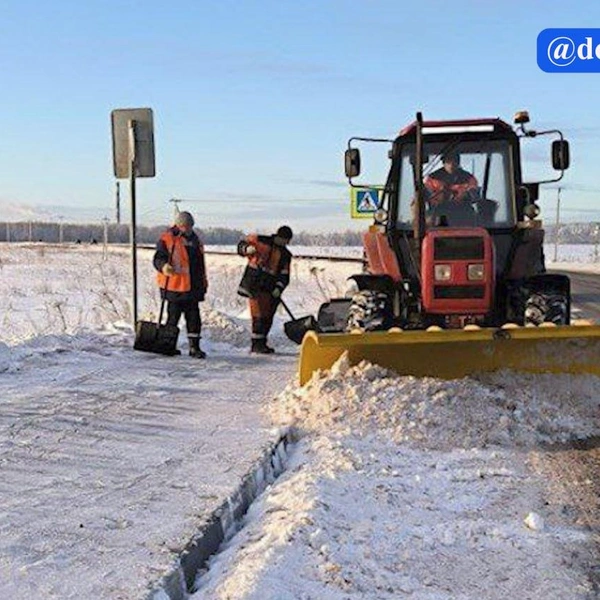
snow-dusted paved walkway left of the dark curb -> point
(112, 460)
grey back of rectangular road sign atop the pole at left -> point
(121, 120)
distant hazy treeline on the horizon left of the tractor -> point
(32, 231)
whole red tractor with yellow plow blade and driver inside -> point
(454, 262)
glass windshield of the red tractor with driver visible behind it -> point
(465, 184)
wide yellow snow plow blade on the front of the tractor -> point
(450, 354)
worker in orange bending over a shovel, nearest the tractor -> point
(265, 278)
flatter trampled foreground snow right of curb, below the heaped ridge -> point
(355, 518)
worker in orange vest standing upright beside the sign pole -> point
(179, 260)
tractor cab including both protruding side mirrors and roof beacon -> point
(459, 174)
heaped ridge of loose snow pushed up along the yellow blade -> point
(499, 409)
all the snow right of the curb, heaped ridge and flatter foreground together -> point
(421, 488)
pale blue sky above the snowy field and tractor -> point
(254, 100)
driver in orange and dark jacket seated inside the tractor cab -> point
(451, 190)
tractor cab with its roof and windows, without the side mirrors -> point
(469, 177)
